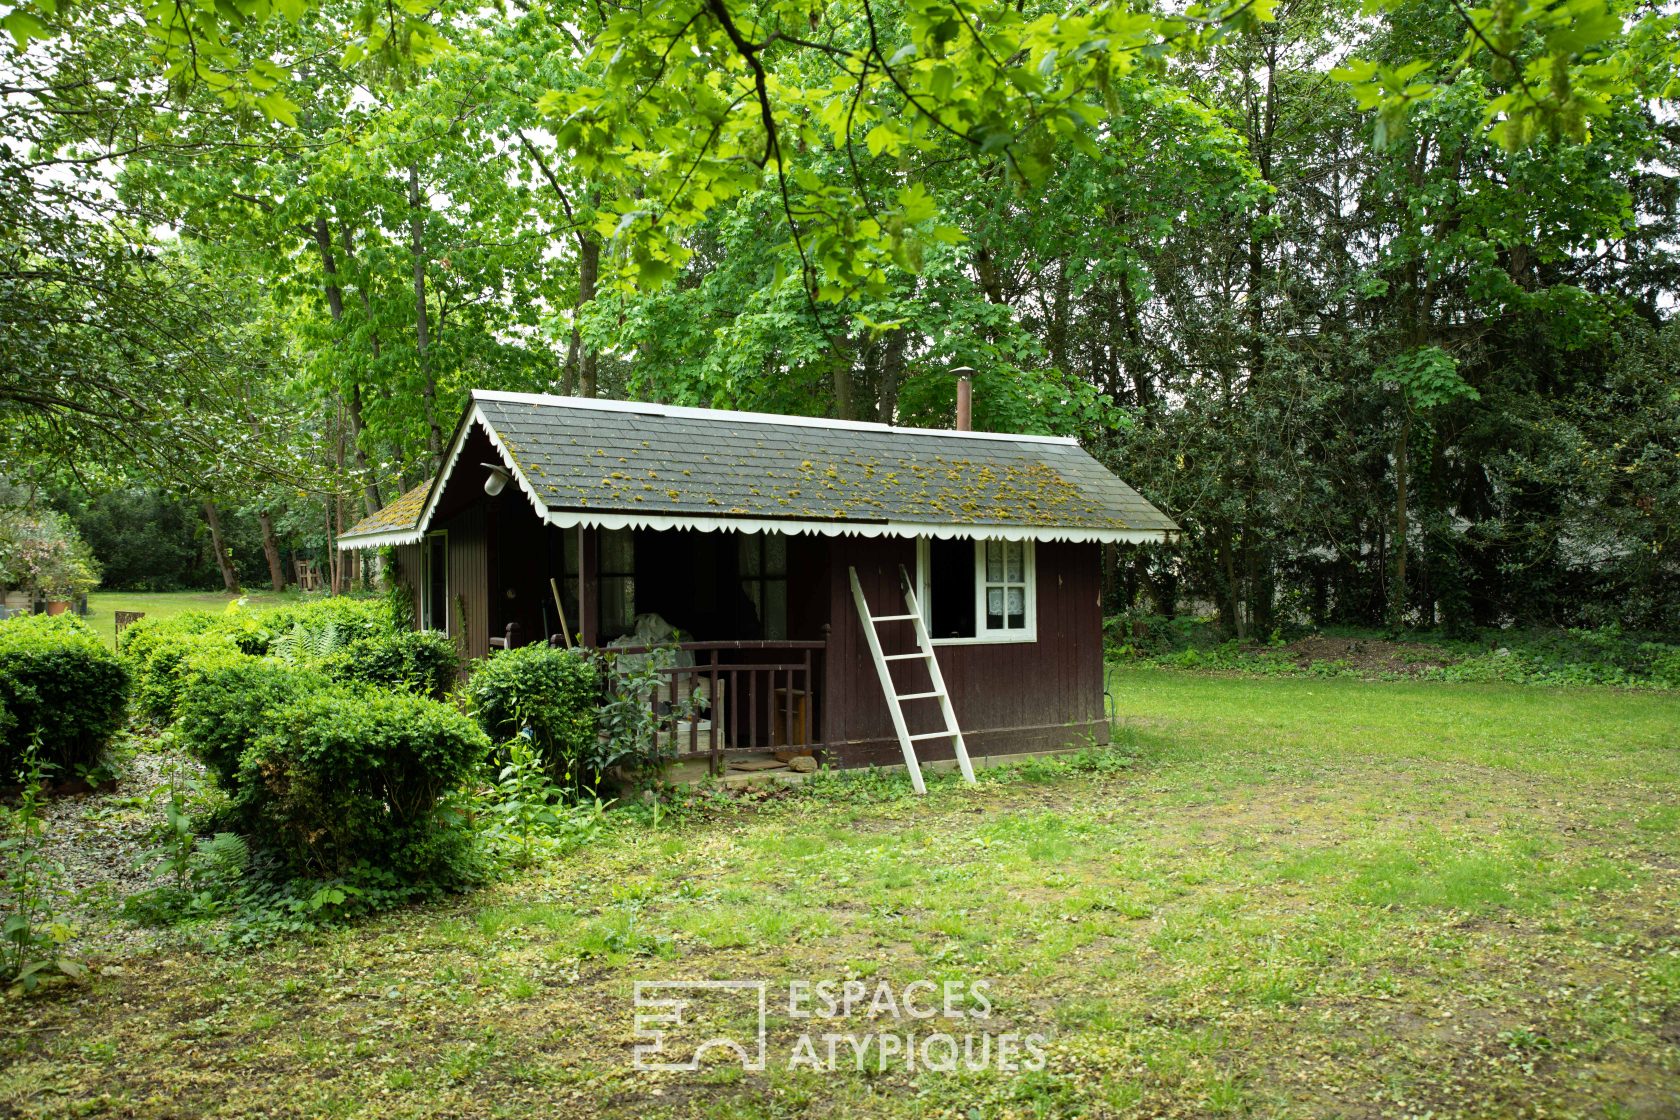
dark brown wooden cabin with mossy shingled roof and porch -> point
(742, 531)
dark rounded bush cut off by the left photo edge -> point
(58, 681)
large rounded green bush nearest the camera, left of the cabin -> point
(354, 778)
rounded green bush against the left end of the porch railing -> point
(554, 693)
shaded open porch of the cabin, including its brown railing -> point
(748, 614)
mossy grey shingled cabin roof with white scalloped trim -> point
(616, 464)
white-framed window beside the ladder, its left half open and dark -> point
(979, 590)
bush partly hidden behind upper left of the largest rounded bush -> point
(229, 701)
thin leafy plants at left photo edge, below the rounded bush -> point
(33, 938)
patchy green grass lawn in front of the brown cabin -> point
(1273, 899)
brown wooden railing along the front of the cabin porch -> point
(740, 698)
